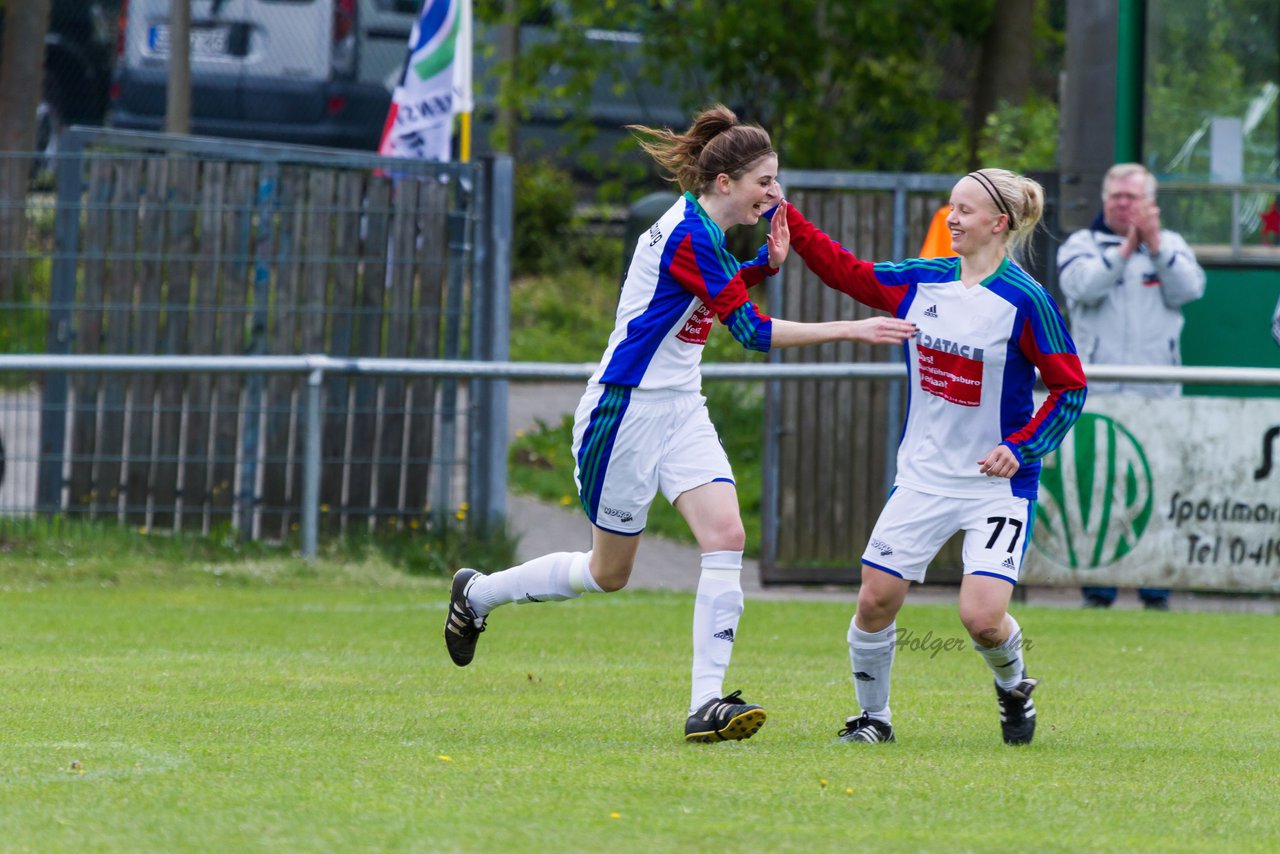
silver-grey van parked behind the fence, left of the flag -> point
(314, 72)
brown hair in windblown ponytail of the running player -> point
(716, 143)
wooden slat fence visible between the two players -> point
(830, 445)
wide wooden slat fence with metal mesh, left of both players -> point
(175, 246)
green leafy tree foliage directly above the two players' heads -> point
(842, 85)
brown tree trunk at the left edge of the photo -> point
(22, 70)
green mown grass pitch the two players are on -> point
(273, 706)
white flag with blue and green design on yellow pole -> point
(436, 85)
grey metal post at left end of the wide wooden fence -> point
(53, 415)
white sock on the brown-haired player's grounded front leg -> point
(716, 614)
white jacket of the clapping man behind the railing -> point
(1128, 313)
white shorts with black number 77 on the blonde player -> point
(915, 526)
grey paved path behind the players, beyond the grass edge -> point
(666, 565)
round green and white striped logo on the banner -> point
(1096, 496)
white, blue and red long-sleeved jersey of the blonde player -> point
(971, 369)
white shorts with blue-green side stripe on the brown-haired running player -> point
(630, 444)
